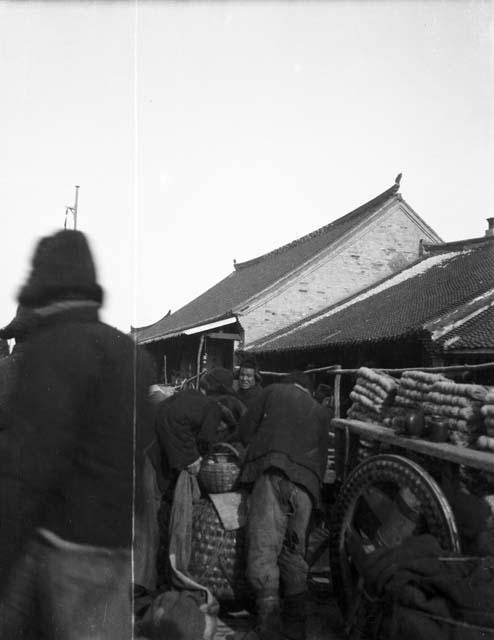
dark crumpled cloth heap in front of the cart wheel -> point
(427, 592)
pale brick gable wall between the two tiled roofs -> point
(386, 246)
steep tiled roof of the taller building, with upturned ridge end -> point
(251, 277)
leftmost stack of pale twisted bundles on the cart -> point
(372, 395)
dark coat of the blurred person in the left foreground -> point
(70, 442)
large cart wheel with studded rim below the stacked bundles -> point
(385, 475)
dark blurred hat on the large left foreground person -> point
(62, 269)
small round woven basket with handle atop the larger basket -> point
(220, 469)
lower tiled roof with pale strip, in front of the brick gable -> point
(398, 306)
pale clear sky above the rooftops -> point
(202, 132)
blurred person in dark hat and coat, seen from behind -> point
(77, 422)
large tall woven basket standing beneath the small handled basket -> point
(218, 556)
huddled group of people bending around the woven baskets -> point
(282, 434)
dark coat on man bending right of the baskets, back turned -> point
(286, 429)
